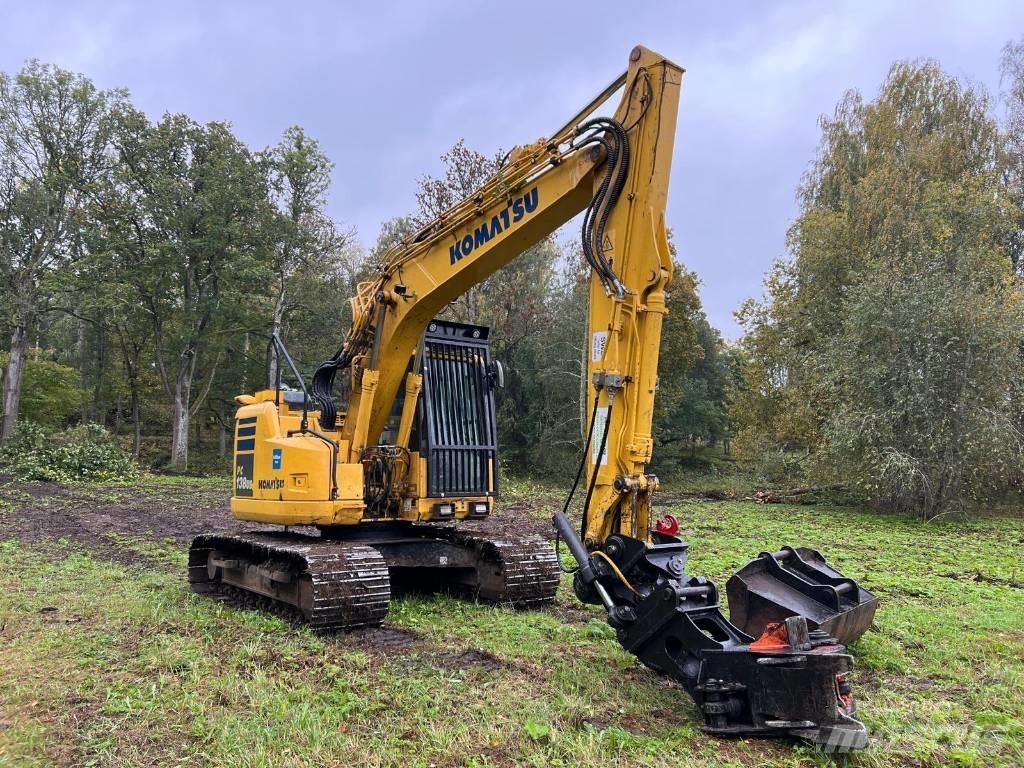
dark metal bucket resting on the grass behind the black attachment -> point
(799, 582)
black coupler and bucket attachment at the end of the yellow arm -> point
(789, 679)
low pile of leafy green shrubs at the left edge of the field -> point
(87, 453)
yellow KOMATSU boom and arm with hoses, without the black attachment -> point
(617, 170)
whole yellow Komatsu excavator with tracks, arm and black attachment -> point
(372, 495)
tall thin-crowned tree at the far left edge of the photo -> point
(55, 137)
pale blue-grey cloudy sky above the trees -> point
(389, 87)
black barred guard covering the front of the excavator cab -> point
(459, 437)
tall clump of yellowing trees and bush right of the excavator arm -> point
(890, 344)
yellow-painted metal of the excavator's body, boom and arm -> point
(435, 269)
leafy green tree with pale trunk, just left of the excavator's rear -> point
(202, 267)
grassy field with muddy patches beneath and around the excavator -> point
(107, 659)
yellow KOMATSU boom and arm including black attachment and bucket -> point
(793, 679)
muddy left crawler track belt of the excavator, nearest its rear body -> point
(351, 584)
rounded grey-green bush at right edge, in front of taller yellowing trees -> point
(925, 421)
